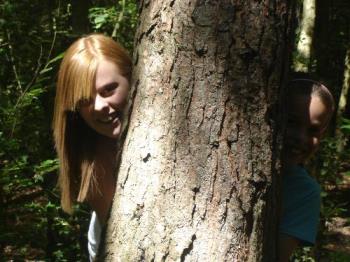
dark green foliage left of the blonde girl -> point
(27, 159)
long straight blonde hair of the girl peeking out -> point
(75, 142)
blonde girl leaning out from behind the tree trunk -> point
(91, 95)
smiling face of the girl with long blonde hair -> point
(105, 112)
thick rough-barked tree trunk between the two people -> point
(197, 179)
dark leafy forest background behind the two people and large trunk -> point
(33, 37)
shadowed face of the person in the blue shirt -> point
(307, 120)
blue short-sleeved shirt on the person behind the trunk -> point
(301, 201)
